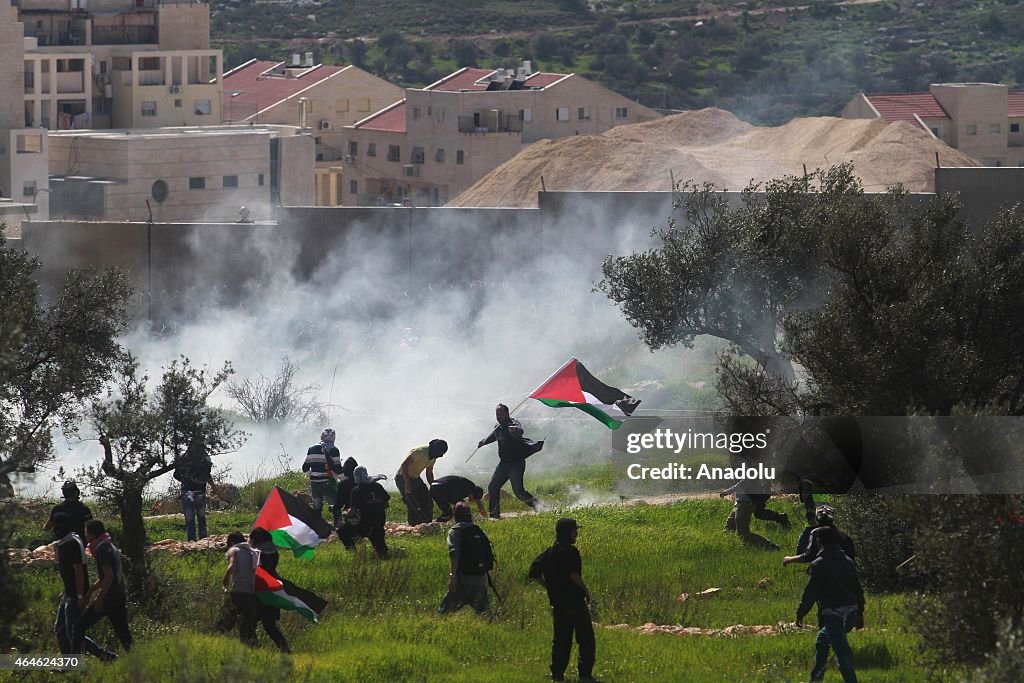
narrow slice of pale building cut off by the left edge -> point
(23, 151)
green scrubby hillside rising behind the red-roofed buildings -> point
(769, 61)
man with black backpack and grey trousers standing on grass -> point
(471, 558)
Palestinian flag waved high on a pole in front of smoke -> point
(574, 387)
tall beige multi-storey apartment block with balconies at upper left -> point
(119, 64)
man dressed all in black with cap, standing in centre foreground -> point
(559, 570)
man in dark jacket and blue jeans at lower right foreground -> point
(835, 587)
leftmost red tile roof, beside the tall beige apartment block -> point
(254, 91)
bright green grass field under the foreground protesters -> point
(381, 623)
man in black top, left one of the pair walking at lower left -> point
(75, 577)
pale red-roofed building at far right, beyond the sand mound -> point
(983, 120)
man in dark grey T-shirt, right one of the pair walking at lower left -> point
(110, 591)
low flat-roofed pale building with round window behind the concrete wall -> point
(188, 175)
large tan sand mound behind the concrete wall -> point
(713, 146)
